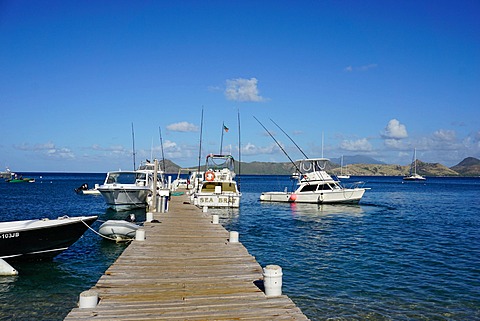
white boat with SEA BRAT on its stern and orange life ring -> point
(219, 187)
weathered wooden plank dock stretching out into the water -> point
(185, 269)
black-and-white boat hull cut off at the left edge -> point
(40, 239)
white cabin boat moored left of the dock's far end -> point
(125, 190)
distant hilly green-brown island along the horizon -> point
(470, 166)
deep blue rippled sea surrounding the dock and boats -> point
(409, 251)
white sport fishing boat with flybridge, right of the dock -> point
(315, 185)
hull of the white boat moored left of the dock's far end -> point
(122, 199)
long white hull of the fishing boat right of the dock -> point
(352, 196)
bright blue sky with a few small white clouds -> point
(377, 78)
